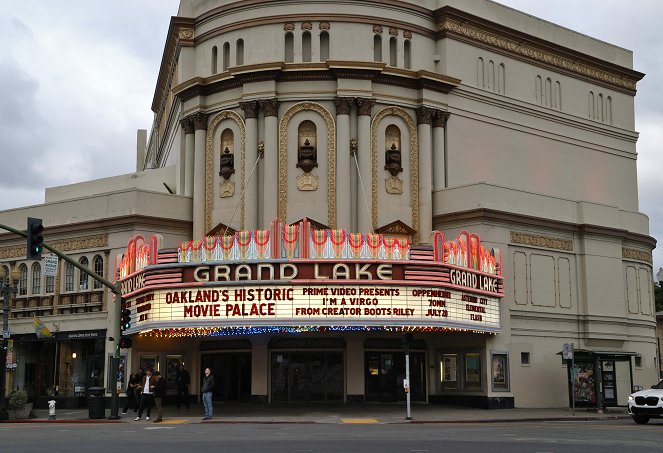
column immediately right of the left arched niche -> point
(251, 191)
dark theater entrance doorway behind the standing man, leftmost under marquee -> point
(232, 375)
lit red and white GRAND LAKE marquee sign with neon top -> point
(279, 278)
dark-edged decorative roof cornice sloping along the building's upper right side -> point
(451, 22)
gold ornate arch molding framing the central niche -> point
(331, 159)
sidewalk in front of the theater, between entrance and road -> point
(336, 414)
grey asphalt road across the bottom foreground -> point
(603, 436)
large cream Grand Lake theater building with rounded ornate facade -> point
(327, 189)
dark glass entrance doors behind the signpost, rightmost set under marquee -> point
(385, 372)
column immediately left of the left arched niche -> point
(200, 126)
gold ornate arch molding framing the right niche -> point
(414, 165)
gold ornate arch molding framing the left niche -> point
(209, 162)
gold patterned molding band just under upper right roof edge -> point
(520, 47)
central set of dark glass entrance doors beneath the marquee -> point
(307, 376)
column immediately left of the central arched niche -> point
(270, 183)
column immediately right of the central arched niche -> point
(344, 164)
